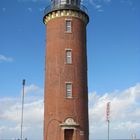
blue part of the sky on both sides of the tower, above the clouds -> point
(113, 43)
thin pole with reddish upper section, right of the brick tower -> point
(108, 116)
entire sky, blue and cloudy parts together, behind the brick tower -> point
(113, 48)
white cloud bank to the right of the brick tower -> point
(125, 113)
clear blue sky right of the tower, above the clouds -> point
(114, 46)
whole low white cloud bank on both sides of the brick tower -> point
(125, 114)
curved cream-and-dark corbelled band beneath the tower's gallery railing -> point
(66, 13)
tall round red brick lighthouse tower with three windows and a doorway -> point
(66, 93)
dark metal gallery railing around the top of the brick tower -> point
(63, 5)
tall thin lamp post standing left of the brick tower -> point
(22, 109)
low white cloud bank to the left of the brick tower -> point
(11, 117)
